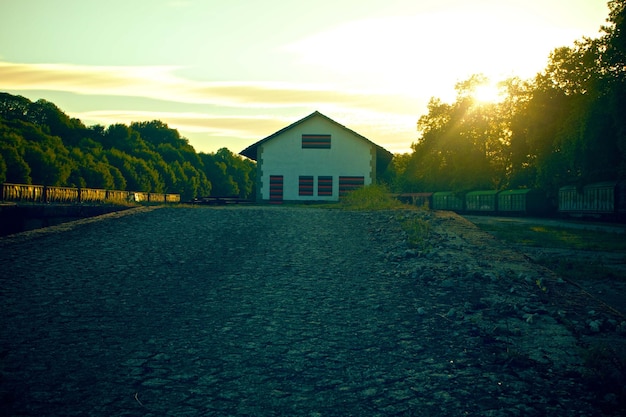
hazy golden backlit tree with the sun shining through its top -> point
(460, 147)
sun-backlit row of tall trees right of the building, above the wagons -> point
(567, 125)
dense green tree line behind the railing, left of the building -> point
(40, 144)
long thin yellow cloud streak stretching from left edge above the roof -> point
(161, 83)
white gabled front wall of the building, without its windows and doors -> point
(348, 155)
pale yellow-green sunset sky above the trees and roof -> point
(226, 74)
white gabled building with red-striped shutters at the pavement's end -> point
(314, 159)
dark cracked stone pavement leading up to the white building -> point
(247, 311)
